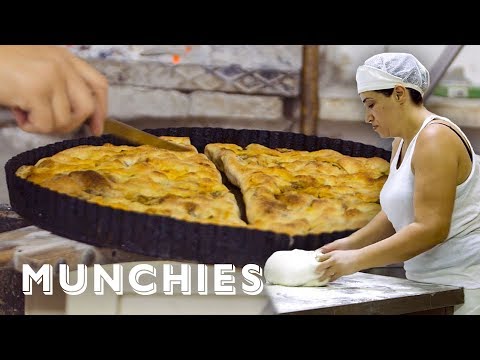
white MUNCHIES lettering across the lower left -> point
(223, 279)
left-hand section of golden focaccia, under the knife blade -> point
(183, 185)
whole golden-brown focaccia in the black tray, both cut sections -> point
(284, 190)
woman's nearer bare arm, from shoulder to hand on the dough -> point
(435, 164)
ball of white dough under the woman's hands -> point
(293, 268)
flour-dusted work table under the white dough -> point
(366, 294)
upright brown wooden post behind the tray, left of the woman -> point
(309, 90)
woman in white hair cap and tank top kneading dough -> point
(431, 200)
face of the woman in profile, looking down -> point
(379, 112)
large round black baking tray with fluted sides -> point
(164, 237)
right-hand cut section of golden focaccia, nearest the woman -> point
(301, 192)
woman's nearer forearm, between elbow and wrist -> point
(411, 241)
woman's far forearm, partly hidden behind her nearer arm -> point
(377, 229)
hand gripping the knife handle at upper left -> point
(50, 90)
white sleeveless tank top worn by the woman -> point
(456, 261)
